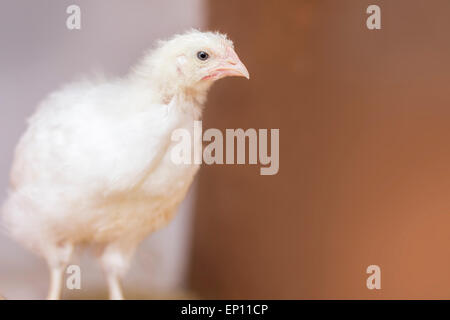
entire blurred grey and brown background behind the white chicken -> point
(364, 145)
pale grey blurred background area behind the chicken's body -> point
(37, 55)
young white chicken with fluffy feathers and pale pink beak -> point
(94, 165)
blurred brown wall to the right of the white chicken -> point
(364, 153)
